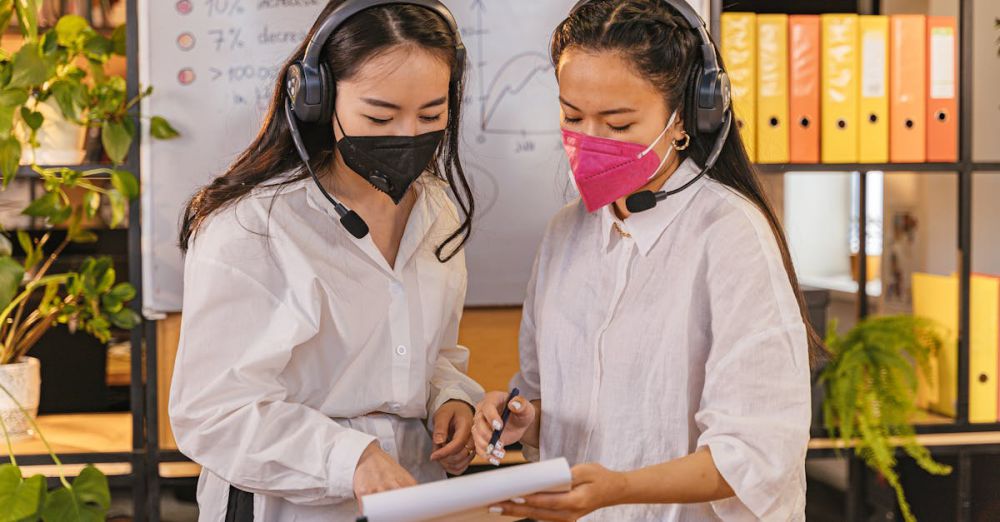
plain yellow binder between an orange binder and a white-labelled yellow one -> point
(839, 136)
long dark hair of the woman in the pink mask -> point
(659, 43)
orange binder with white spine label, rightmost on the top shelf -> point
(942, 89)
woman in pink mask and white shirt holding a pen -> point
(665, 350)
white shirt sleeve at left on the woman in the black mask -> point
(228, 405)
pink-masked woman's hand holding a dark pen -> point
(522, 415)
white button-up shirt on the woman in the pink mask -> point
(685, 335)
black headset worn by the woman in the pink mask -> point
(714, 102)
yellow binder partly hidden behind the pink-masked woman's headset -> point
(739, 53)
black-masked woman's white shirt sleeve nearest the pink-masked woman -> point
(449, 380)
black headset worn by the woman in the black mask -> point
(312, 89)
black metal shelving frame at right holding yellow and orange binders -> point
(964, 169)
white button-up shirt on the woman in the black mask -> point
(300, 345)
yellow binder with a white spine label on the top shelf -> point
(873, 139)
